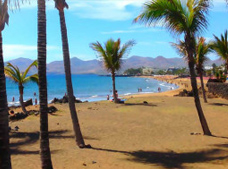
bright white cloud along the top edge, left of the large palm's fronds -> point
(95, 9)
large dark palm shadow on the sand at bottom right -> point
(171, 160)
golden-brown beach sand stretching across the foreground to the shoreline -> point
(165, 133)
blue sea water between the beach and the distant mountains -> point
(88, 87)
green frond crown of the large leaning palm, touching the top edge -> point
(177, 16)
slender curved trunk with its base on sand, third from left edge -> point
(66, 57)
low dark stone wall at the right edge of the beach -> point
(220, 89)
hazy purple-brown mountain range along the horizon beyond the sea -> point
(79, 66)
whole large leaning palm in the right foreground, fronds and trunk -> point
(187, 18)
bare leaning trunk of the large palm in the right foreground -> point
(202, 118)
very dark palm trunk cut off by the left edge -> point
(5, 162)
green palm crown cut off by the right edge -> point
(220, 46)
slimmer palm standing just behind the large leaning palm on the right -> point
(202, 49)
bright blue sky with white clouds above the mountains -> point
(89, 21)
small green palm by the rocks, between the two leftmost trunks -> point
(21, 78)
